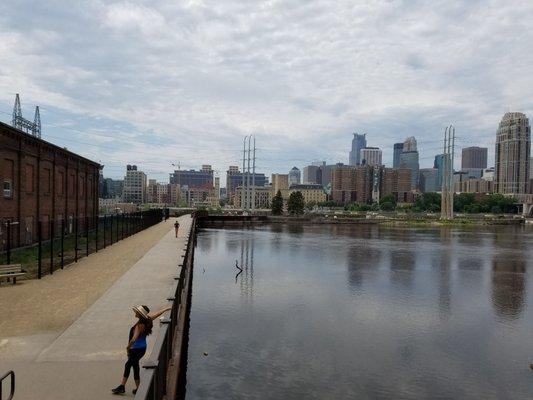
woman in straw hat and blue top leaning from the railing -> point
(137, 345)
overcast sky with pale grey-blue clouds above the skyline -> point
(157, 83)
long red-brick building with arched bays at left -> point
(43, 182)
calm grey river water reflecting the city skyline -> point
(362, 312)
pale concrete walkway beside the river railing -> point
(86, 360)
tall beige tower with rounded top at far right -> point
(513, 147)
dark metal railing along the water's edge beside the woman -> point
(154, 379)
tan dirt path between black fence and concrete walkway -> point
(54, 302)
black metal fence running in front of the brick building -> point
(61, 242)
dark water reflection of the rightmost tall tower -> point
(508, 287)
